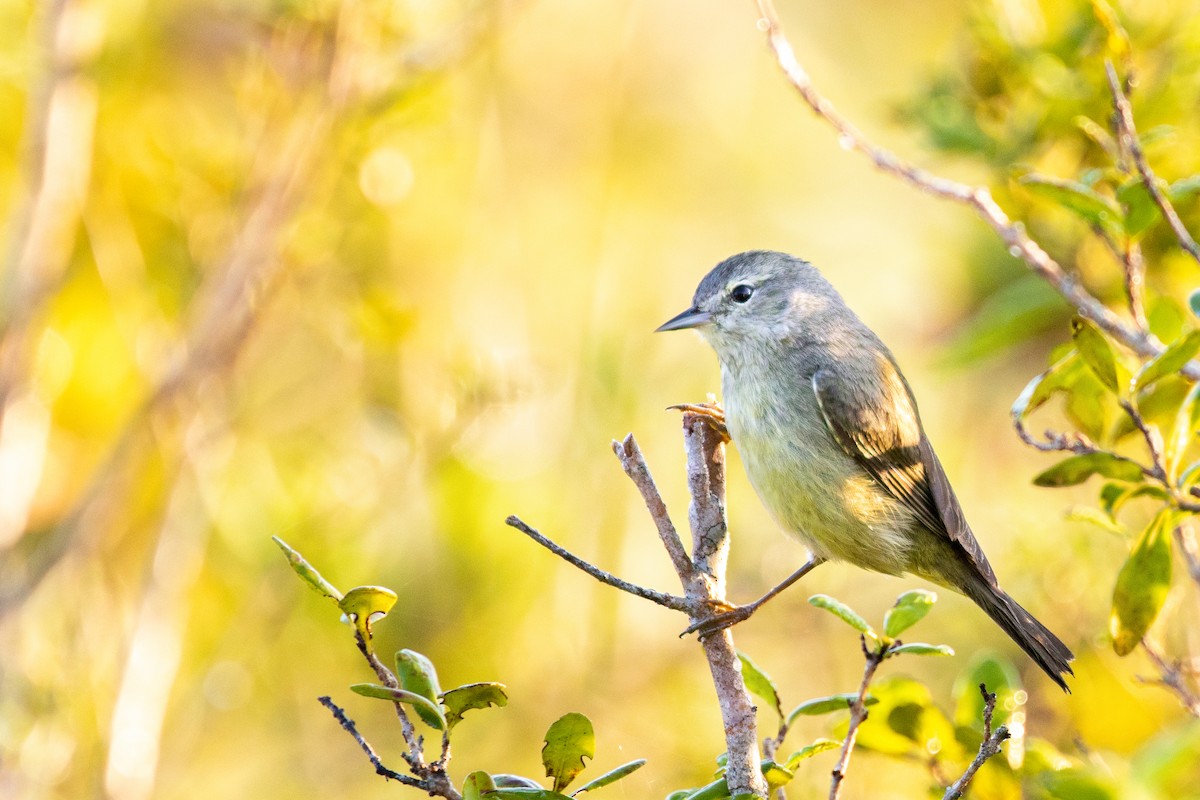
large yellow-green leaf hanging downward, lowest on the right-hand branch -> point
(1142, 586)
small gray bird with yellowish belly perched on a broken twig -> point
(832, 442)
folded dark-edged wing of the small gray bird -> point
(879, 428)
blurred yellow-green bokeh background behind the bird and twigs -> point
(371, 276)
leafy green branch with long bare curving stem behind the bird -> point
(1119, 378)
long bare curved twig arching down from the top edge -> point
(979, 199)
